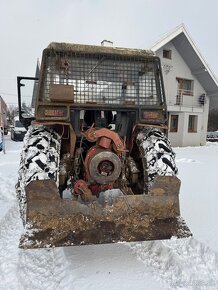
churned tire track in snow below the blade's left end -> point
(46, 269)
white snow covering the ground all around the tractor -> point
(173, 264)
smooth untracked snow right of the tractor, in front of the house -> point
(198, 170)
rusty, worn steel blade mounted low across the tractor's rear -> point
(52, 221)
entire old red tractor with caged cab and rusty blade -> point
(97, 166)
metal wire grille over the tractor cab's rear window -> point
(102, 79)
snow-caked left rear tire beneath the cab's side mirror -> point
(40, 159)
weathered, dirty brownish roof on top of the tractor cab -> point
(95, 49)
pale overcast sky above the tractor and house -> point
(28, 26)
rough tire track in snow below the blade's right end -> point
(181, 263)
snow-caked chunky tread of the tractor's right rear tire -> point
(156, 153)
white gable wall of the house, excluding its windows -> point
(175, 68)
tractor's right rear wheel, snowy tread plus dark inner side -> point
(153, 156)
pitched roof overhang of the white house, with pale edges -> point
(191, 55)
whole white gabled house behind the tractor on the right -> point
(189, 84)
